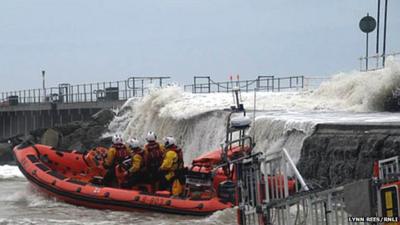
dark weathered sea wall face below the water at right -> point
(338, 153)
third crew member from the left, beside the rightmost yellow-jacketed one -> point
(154, 156)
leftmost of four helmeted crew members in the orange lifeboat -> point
(115, 156)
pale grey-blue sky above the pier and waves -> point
(80, 41)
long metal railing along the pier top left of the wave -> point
(92, 92)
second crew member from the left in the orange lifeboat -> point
(137, 170)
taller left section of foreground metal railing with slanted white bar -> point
(264, 179)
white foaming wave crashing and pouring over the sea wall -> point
(198, 121)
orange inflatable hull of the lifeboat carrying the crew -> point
(69, 175)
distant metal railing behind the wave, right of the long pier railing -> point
(262, 83)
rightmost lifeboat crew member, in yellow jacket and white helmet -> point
(170, 167)
